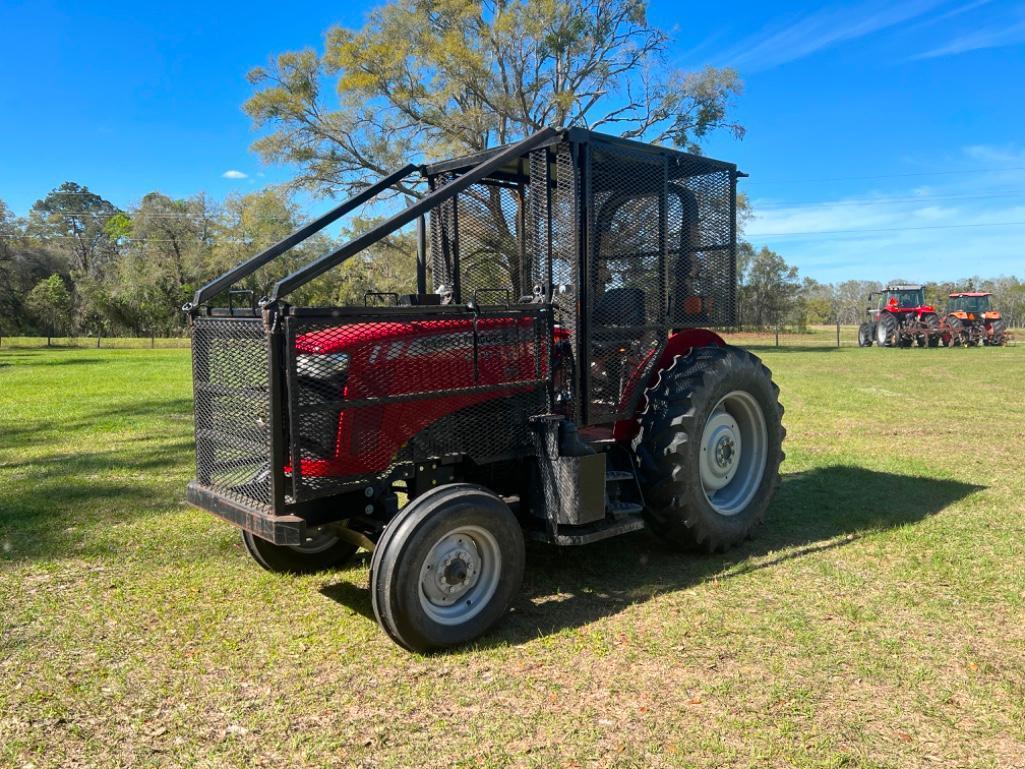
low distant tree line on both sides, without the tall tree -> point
(78, 265)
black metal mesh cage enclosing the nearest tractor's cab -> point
(653, 230)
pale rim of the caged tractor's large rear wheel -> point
(734, 453)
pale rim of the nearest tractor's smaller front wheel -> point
(461, 576)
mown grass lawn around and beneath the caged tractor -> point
(877, 621)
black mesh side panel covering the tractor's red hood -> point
(370, 393)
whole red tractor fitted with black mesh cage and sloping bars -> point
(549, 377)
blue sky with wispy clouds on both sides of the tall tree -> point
(884, 139)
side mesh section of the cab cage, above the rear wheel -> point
(662, 257)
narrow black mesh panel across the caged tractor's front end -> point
(231, 380)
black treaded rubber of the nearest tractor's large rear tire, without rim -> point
(673, 426)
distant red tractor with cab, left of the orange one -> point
(901, 318)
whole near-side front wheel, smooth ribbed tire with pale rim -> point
(447, 568)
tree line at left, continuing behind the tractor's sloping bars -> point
(78, 265)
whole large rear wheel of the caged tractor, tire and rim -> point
(710, 448)
